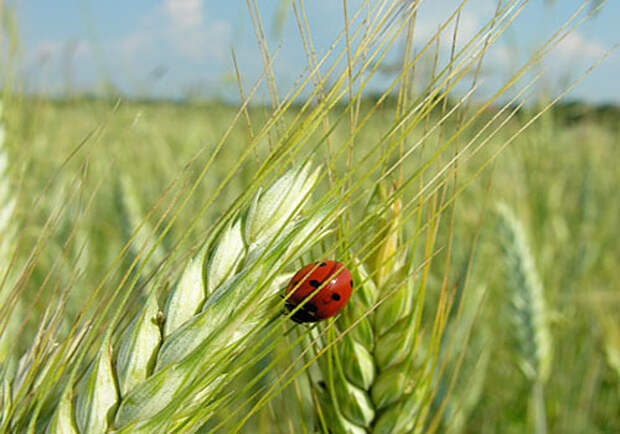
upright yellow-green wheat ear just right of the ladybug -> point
(372, 382)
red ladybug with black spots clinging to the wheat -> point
(335, 283)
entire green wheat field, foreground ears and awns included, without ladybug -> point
(145, 246)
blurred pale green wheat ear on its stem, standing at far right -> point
(528, 311)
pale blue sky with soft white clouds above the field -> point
(179, 48)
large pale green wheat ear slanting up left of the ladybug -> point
(224, 293)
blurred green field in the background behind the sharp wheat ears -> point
(92, 172)
